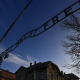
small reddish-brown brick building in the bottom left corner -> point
(6, 75)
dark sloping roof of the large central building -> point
(40, 66)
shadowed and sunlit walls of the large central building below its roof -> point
(22, 73)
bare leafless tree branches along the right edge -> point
(72, 24)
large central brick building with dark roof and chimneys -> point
(40, 71)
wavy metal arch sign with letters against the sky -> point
(50, 23)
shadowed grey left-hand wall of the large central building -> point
(36, 73)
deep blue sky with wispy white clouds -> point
(44, 47)
